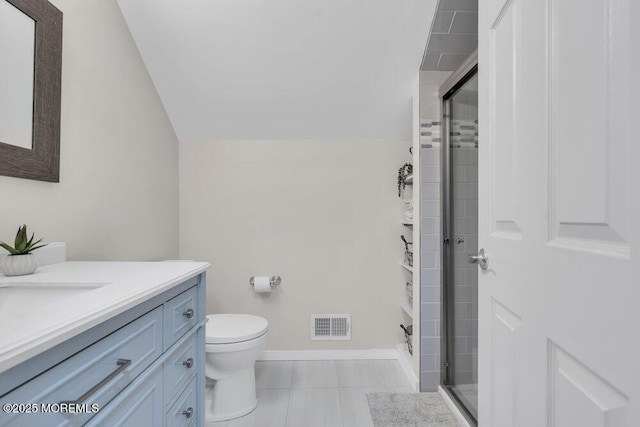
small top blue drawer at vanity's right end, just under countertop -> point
(180, 315)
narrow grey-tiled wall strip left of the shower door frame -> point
(430, 238)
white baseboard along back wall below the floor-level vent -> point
(329, 354)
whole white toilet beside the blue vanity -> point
(233, 344)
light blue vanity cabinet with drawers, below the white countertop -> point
(144, 367)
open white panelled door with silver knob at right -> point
(559, 213)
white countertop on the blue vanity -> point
(27, 332)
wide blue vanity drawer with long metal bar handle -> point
(99, 373)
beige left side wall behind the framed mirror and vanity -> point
(118, 192)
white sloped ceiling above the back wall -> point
(283, 69)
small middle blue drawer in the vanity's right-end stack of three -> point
(180, 367)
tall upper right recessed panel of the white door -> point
(589, 125)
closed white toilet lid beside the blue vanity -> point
(230, 328)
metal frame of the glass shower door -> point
(464, 73)
